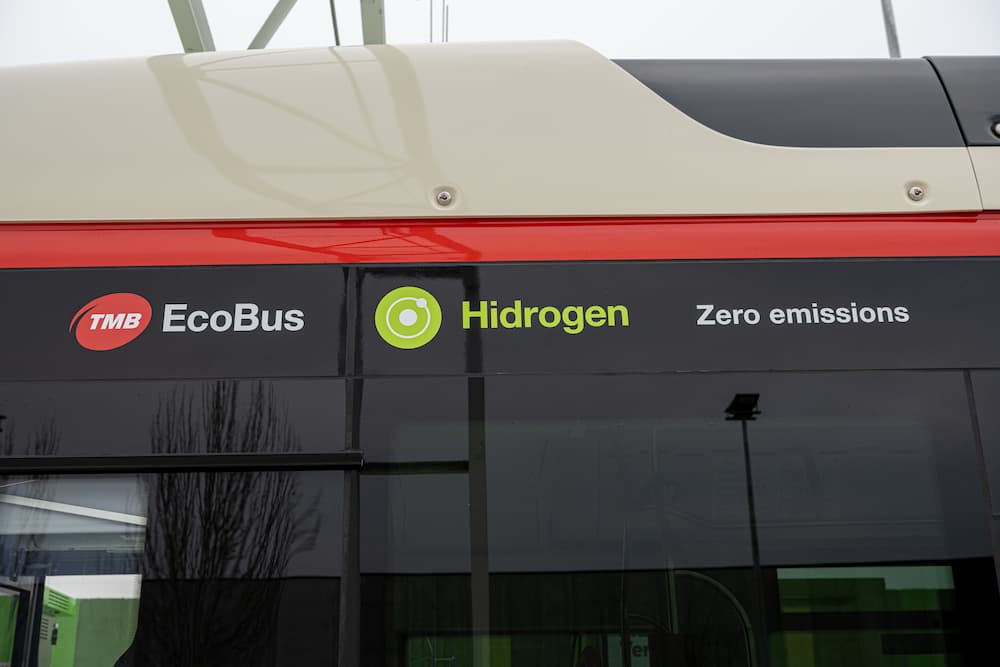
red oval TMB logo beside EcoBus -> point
(112, 320)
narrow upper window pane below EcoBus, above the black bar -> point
(135, 418)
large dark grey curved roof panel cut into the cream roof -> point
(808, 103)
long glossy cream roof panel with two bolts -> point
(520, 129)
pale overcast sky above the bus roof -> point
(53, 30)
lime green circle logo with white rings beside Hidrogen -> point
(408, 317)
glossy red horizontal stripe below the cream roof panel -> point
(33, 245)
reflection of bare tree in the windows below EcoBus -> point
(217, 542)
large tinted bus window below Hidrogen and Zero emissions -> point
(620, 524)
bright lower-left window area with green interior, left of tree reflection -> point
(69, 560)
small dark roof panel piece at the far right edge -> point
(973, 84)
